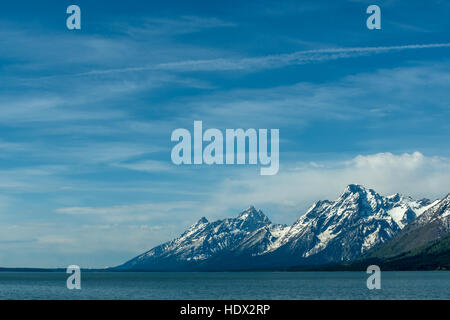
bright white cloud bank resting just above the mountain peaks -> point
(289, 193)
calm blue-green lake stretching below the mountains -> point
(226, 285)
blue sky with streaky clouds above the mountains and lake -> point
(86, 115)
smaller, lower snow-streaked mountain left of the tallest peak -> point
(250, 231)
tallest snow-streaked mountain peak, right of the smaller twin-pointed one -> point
(332, 231)
